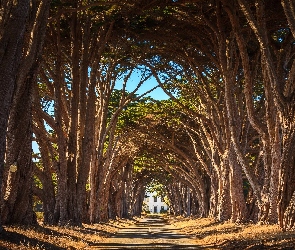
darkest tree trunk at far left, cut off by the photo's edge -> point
(11, 44)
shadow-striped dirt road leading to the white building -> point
(152, 232)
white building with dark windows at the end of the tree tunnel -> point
(154, 204)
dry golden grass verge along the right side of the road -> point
(215, 235)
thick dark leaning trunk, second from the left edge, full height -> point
(18, 196)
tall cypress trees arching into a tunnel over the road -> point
(222, 145)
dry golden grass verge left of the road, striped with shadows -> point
(53, 237)
